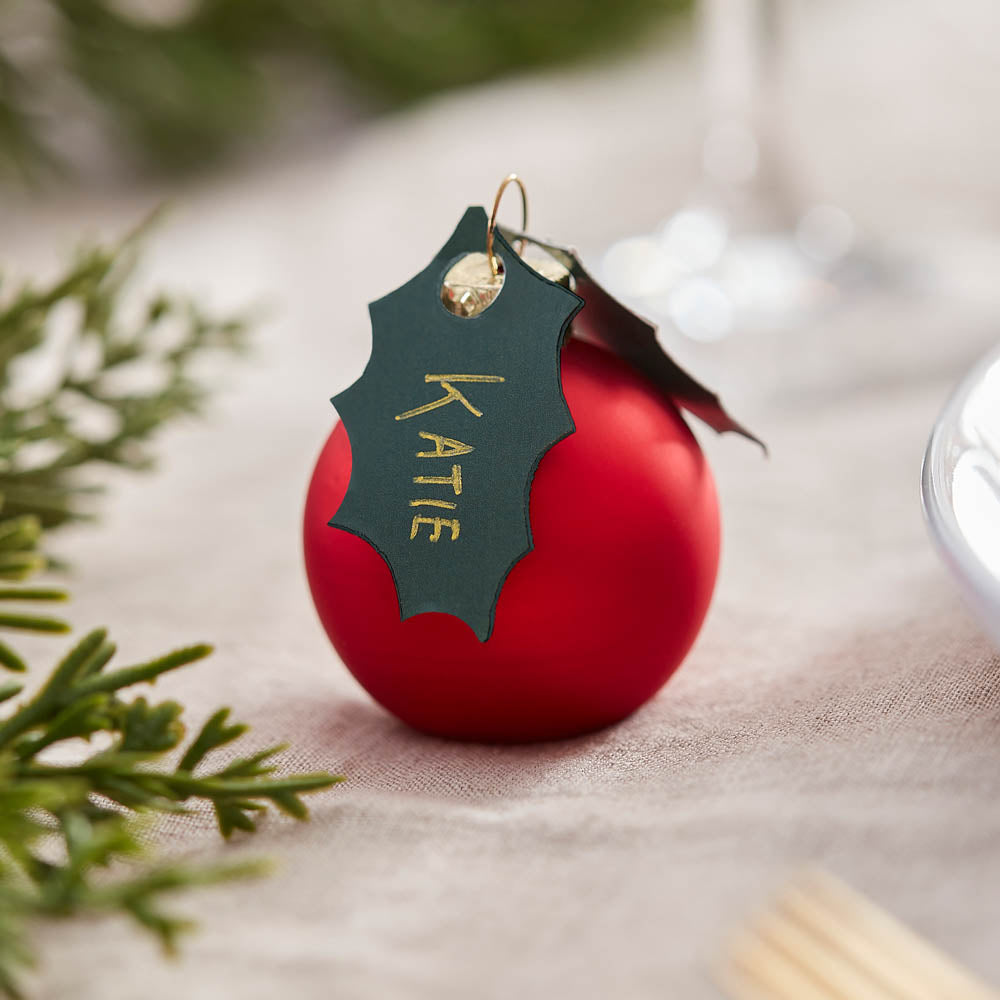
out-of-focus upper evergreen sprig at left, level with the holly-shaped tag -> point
(88, 408)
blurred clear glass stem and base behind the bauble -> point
(747, 250)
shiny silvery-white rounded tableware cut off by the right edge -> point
(961, 488)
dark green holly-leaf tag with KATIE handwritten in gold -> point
(447, 425)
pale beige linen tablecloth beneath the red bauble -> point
(840, 706)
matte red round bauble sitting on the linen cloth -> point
(589, 624)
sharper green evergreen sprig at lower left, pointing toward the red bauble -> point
(61, 823)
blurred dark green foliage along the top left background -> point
(175, 83)
